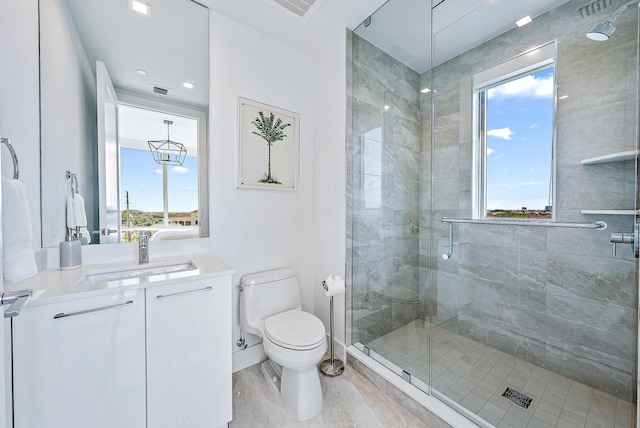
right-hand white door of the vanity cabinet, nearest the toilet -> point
(189, 354)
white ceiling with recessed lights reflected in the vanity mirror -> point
(172, 45)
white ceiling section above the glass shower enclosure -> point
(402, 27)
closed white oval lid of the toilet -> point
(295, 329)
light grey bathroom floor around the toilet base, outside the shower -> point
(349, 401)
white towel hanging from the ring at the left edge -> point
(18, 260)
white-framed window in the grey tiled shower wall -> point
(514, 107)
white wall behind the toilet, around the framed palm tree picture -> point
(255, 230)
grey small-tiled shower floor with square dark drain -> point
(475, 375)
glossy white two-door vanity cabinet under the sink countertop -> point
(150, 356)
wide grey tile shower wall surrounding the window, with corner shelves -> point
(554, 297)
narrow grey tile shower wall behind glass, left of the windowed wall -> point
(384, 154)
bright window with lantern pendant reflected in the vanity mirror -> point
(163, 209)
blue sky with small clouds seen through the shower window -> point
(519, 142)
